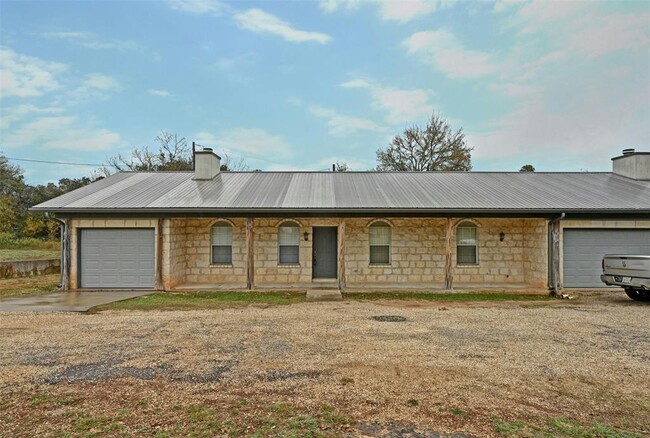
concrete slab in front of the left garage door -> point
(66, 301)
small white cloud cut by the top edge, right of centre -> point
(391, 10)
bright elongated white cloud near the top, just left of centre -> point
(262, 22)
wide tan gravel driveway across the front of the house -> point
(441, 367)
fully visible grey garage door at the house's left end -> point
(117, 258)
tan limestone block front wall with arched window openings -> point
(417, 252)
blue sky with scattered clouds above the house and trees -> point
(299, 85)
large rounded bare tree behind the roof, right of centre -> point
(436, 147)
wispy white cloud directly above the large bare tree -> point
(402, 105)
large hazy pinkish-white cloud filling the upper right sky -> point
(577, 76)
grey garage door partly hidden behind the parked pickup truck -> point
(584, 250)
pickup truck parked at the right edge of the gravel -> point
(631, 272)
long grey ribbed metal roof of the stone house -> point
(276, 192)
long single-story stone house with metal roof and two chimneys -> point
(393, 230)
